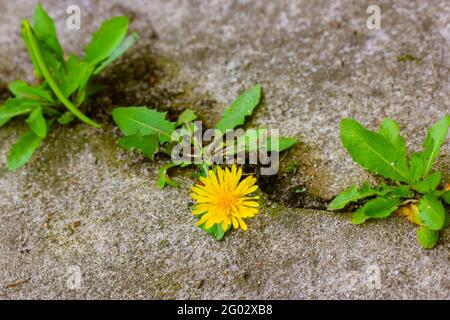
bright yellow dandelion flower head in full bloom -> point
(222, 199)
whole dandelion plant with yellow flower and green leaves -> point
(149, 132)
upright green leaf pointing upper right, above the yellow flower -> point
(241, 107)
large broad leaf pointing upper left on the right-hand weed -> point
(373, 151)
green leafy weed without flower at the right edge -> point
(413, 190)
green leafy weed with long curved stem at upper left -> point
(64, 84)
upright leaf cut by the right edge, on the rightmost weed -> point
(433, 142)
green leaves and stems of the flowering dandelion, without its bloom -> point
(149, 131)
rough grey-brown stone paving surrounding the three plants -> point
(84, 205)
